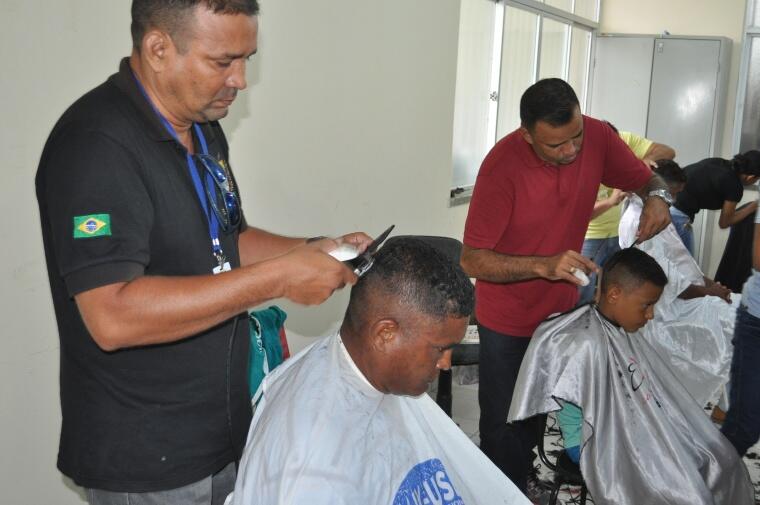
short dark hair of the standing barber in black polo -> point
(173, 16)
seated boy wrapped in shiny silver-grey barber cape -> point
(643, 439)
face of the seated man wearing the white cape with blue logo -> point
(419, 349)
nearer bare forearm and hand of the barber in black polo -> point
(159, 309)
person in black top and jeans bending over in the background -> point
(715, 183)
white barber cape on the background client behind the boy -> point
(694, 335)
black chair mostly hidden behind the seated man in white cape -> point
(462, 354)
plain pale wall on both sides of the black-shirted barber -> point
(346, 125)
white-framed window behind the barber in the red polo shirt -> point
(504, 47)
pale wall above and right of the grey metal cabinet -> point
(689, 17)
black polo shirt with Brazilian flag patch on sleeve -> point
(117, 202)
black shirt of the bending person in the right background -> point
(709, 183)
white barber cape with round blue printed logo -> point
(321, 434)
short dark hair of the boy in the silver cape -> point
(631, 268)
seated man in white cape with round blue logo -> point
(348, 421)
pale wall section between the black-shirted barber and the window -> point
(348, 124)
